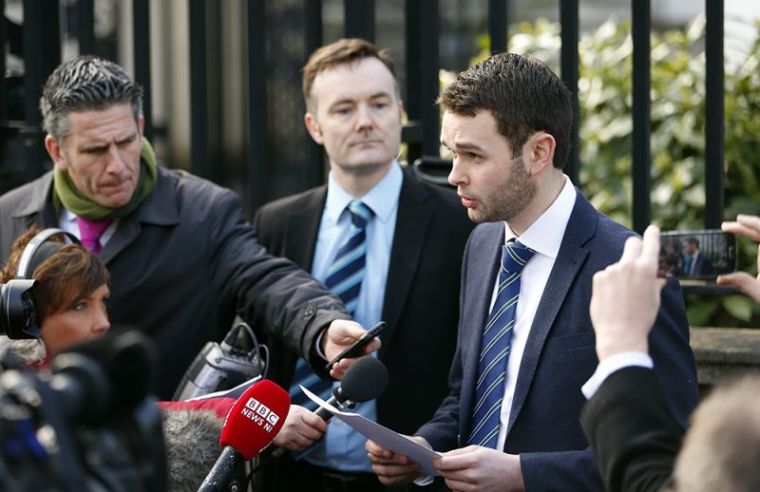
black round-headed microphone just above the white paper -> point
(365, 380)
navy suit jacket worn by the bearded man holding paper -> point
(559, 357)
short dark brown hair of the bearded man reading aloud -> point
(522, 94)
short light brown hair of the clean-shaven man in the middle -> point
(341, 52)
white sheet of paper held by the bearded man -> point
(382, 435)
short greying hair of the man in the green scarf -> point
(85, 83)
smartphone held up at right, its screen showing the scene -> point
(700, 254)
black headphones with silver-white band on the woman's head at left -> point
(18, 315)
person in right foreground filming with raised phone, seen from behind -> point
(627, 420)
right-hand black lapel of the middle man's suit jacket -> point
(412, 222)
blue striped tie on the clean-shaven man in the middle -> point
(344, 278)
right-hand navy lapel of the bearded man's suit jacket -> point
(571, 256)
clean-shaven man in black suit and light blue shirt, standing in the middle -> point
(414, 243)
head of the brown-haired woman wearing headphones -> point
(69, 297)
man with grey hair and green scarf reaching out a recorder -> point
(183, 260)
